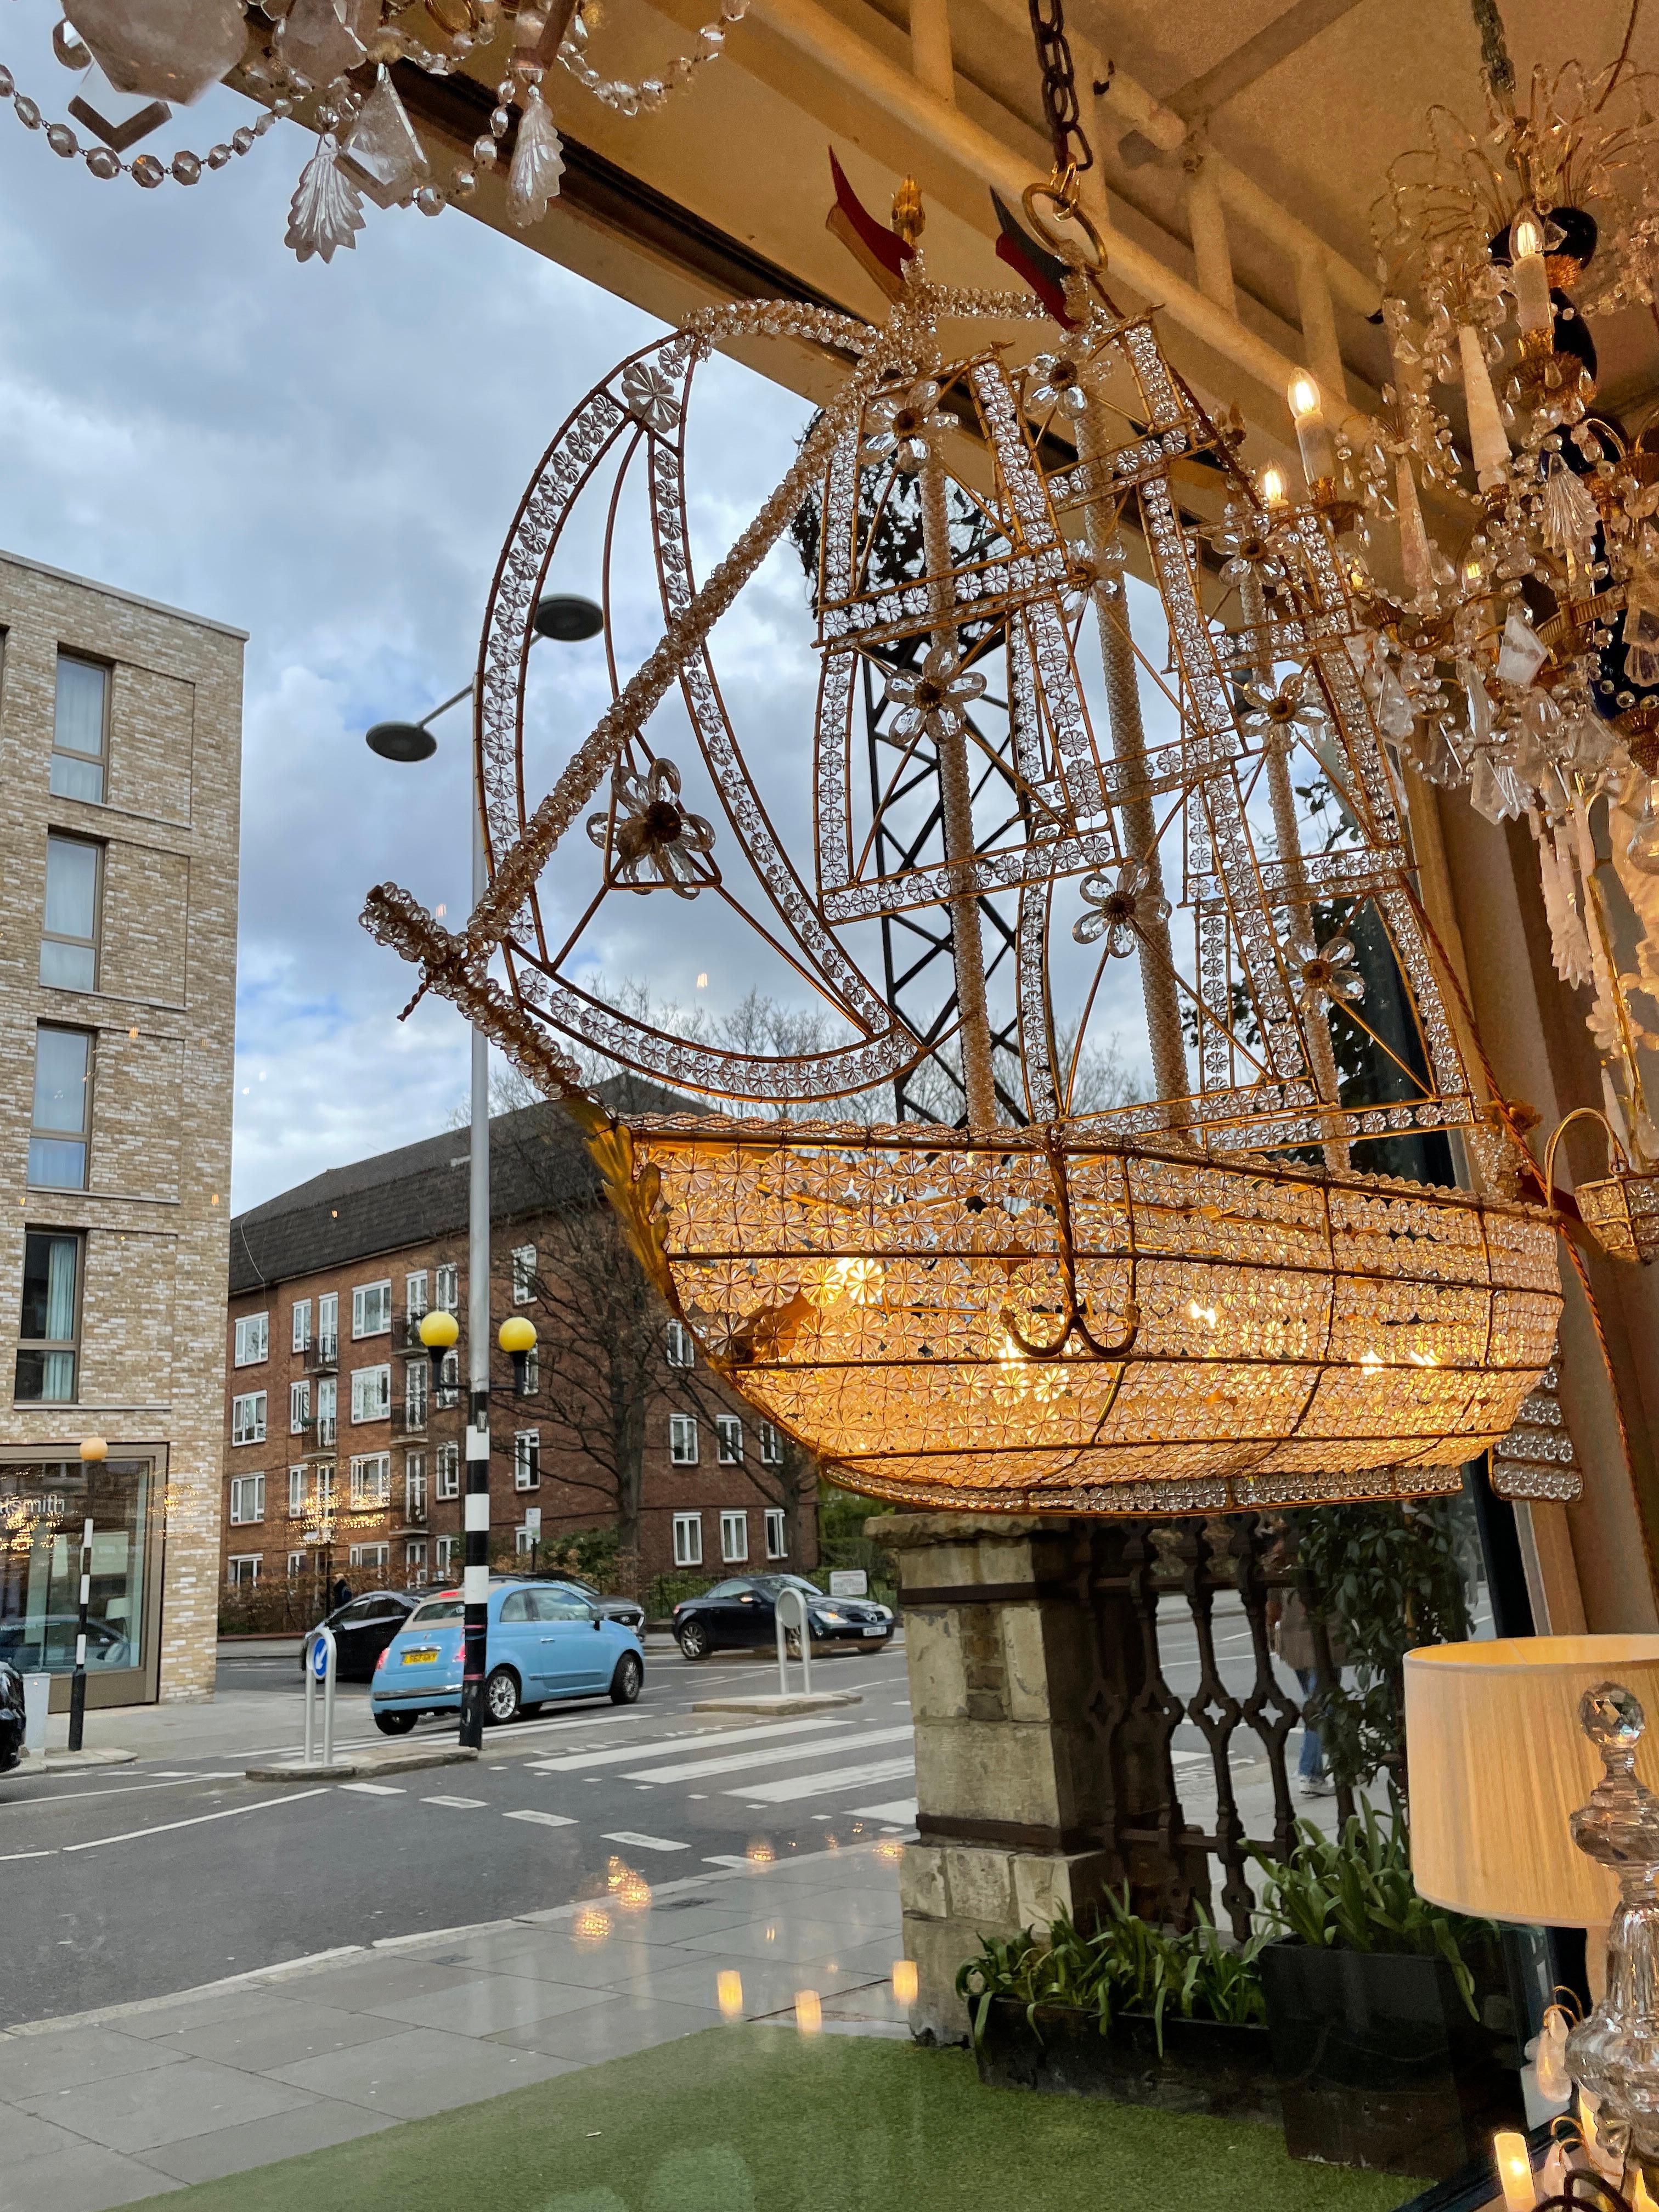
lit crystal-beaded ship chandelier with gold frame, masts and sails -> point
(1211, 1300)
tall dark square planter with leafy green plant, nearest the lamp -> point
(1390, 2018)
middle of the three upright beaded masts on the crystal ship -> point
(1129, 747)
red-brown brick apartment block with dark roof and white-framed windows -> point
(342, 1454)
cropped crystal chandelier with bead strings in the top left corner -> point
(335, 65)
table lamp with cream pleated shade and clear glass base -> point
(1534, 1799)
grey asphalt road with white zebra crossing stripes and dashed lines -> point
(174, 1872)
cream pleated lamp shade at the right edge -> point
(1501, 1764)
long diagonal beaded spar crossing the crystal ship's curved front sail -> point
(514, 873)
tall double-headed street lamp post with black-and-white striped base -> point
(563, 618)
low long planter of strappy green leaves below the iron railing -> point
(1129, 2012)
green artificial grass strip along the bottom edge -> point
(764, 2120)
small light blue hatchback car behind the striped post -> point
(545, 1642)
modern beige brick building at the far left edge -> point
(121, 744)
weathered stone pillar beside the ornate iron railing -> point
(1043, 1768)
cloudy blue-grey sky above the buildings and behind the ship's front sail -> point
(328, 457)
